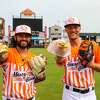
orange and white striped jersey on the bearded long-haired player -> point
(18, 80)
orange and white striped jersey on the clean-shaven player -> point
(75, 78)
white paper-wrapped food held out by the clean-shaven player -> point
(59, 48)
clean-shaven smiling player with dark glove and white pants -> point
(79, 66)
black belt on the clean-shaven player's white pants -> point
(83, 91)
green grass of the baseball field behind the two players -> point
(51, 88)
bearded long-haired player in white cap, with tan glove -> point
(21, 68)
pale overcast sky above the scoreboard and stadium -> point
(56, 11)
